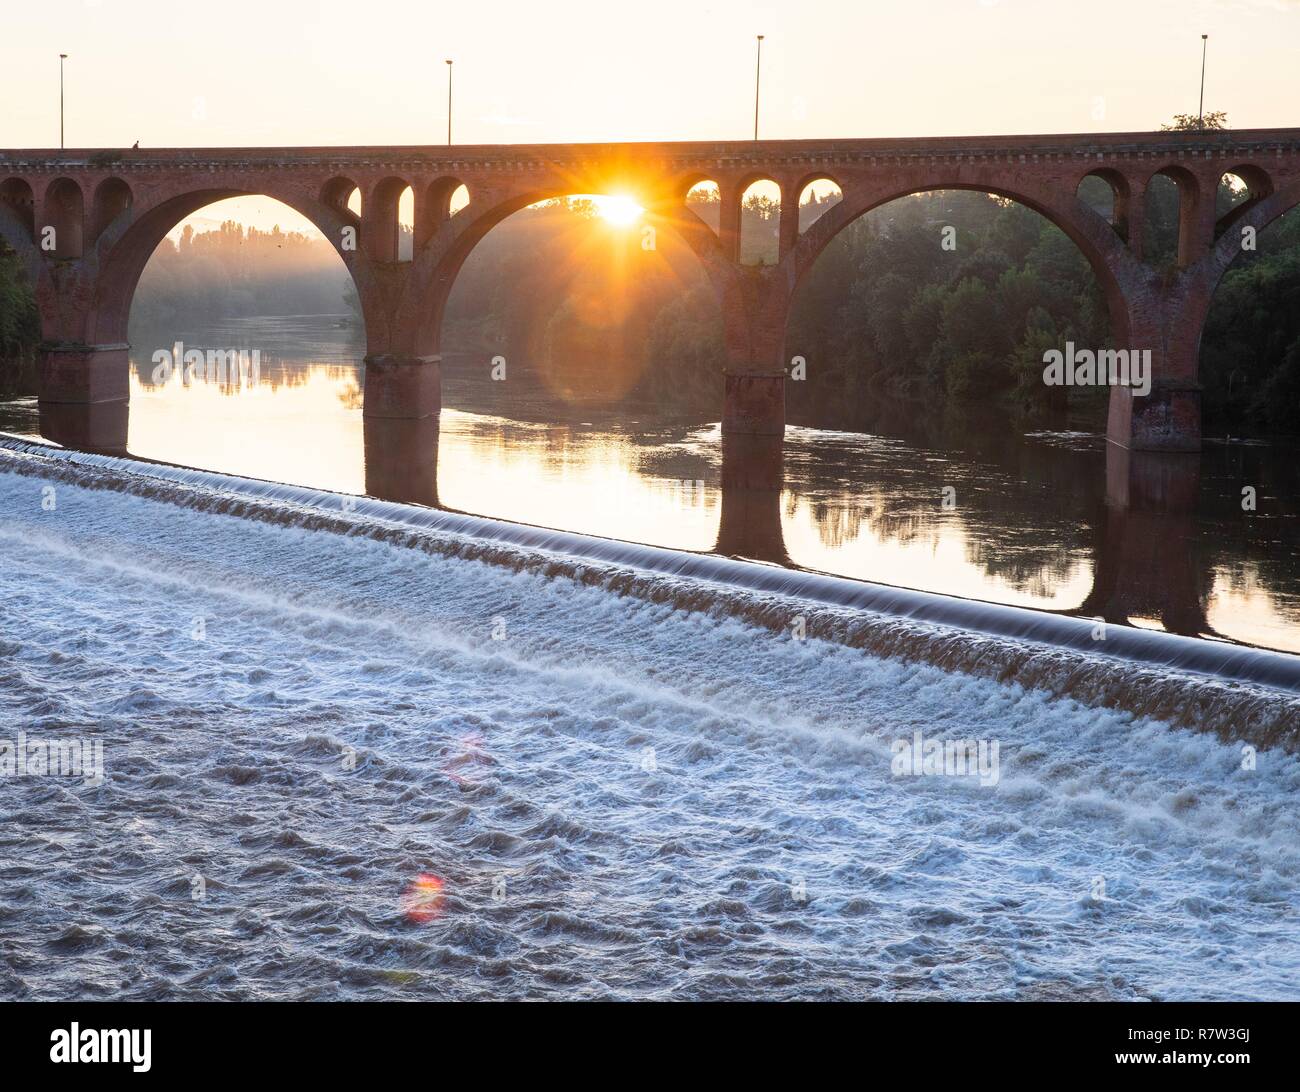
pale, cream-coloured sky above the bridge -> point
(322, 72)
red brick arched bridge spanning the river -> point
(109, 210)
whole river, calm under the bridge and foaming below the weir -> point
(618, 782)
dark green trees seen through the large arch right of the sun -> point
(889, 311)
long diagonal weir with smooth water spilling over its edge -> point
(1180, 679)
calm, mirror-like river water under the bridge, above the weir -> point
(1059, 522)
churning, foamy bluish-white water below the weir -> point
(621, 798)
